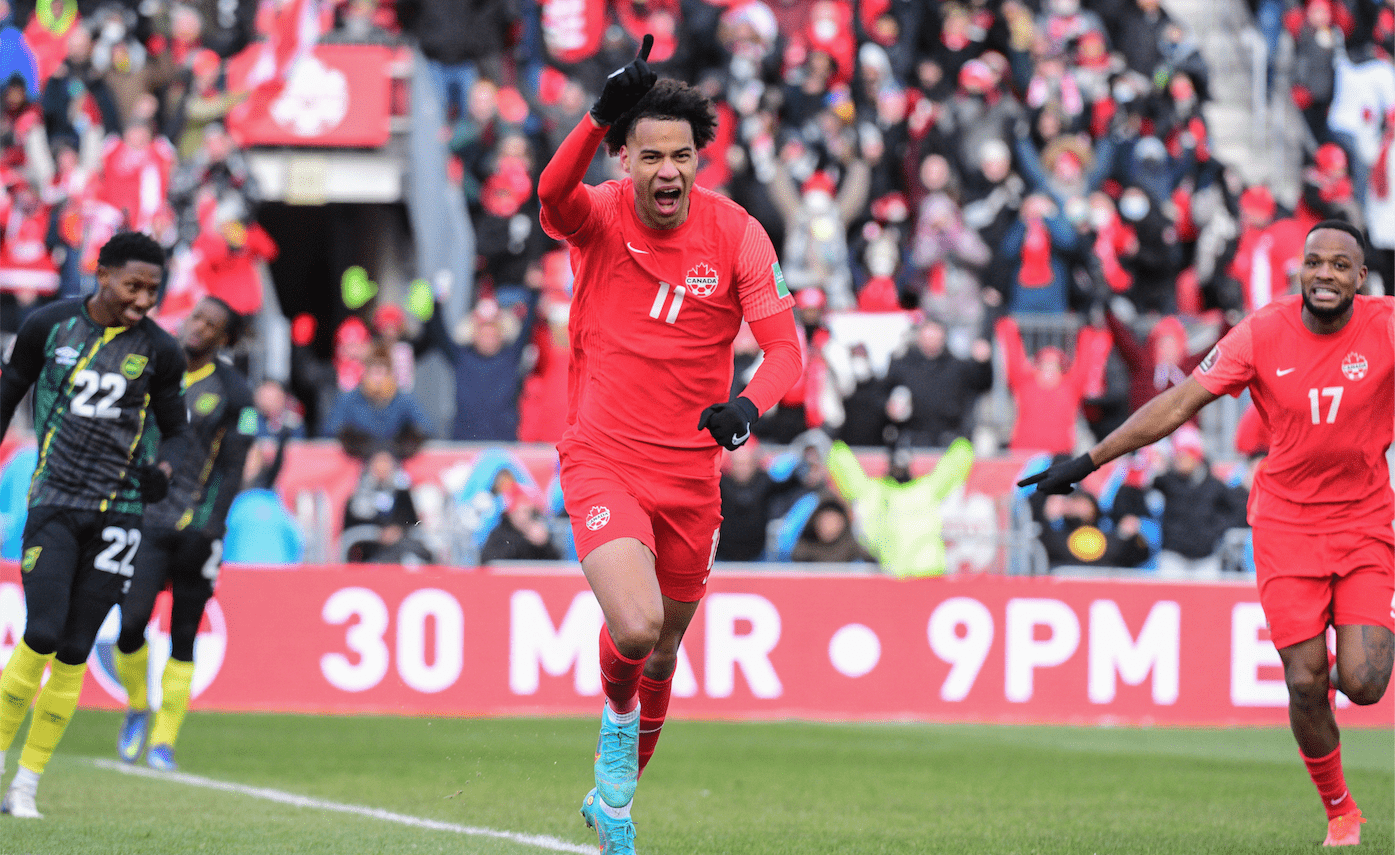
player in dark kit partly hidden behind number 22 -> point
(183, 534)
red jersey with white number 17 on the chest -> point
(1330, 405)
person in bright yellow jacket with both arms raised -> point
(898, 518)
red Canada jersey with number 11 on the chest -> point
(655, 313)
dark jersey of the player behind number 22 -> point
(209, 467)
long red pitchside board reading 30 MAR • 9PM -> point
(976, 648)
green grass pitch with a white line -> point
(739, 789)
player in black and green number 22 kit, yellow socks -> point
(100, 370)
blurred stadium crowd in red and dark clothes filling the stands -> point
(983, 178)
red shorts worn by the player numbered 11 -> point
(676, 514)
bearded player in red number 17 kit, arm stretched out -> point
(1322, 370)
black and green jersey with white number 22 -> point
(96, 393)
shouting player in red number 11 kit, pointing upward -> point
(665, 273)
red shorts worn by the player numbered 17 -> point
(1309, 582)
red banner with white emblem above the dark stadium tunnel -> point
(338, 96)
